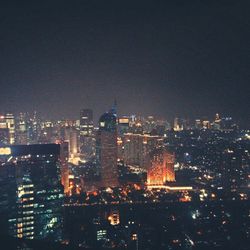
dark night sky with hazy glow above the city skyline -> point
(170, 58)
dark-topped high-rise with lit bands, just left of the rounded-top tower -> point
(87, 138)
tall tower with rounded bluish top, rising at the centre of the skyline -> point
(106, 150)
